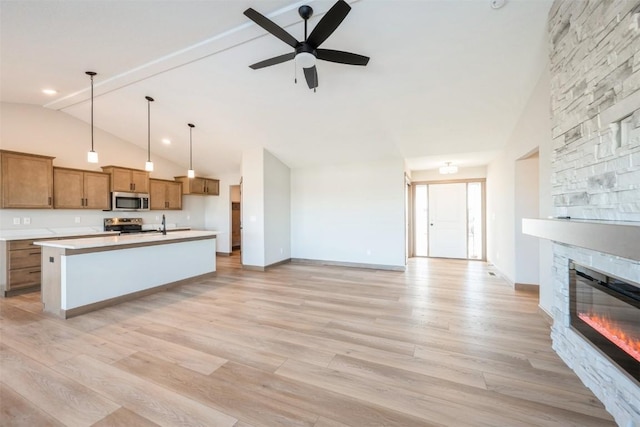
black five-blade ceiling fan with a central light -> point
(308, 51)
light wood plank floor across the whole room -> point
(444, 343)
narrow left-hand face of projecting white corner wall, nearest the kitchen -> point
(253, 207)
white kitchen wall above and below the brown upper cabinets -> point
(38, 130)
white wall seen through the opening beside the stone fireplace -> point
(526, 206)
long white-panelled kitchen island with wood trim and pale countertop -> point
(82, 275)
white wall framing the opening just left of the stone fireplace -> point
(532, 131)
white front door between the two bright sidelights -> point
(448, 220)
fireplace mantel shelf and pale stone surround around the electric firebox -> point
(612, 247)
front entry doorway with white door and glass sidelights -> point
(449, 219)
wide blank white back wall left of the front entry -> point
(352, 213)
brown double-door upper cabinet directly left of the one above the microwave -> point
(79, 189)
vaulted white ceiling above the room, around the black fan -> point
(447, 79)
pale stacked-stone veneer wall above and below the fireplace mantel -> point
(595, 82)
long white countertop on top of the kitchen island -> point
(127, 239)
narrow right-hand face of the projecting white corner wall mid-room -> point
(277, 210)
